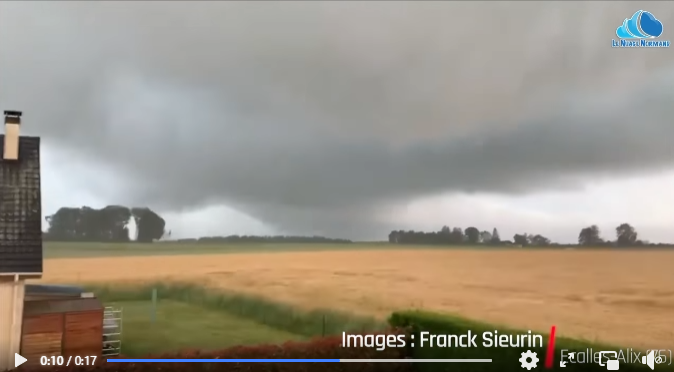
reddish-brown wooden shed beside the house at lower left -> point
(61, 320)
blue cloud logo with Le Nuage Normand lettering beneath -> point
(640, 31)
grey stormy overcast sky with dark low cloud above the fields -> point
(348, 119)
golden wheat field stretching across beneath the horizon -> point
(620, 297)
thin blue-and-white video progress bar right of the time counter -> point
(299, 360)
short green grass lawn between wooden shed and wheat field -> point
(180, 326)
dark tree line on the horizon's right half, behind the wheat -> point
(625, 236)
